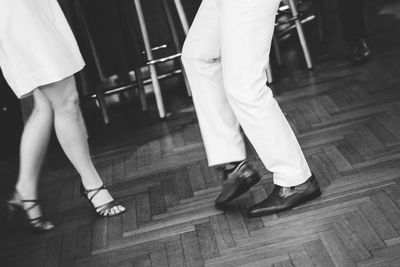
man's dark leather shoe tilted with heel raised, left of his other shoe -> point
(236, 183)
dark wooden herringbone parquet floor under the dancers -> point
(347, 120)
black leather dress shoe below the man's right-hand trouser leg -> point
(285, 198)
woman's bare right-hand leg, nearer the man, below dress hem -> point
(71, 134)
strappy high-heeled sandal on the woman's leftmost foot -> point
(38, 224)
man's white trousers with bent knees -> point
(225, 55)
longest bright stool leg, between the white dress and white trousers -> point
(153, 70)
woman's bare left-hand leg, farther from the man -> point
(34, 141)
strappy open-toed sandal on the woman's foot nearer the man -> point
(105, 210)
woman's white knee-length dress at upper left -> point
(37, 46)
